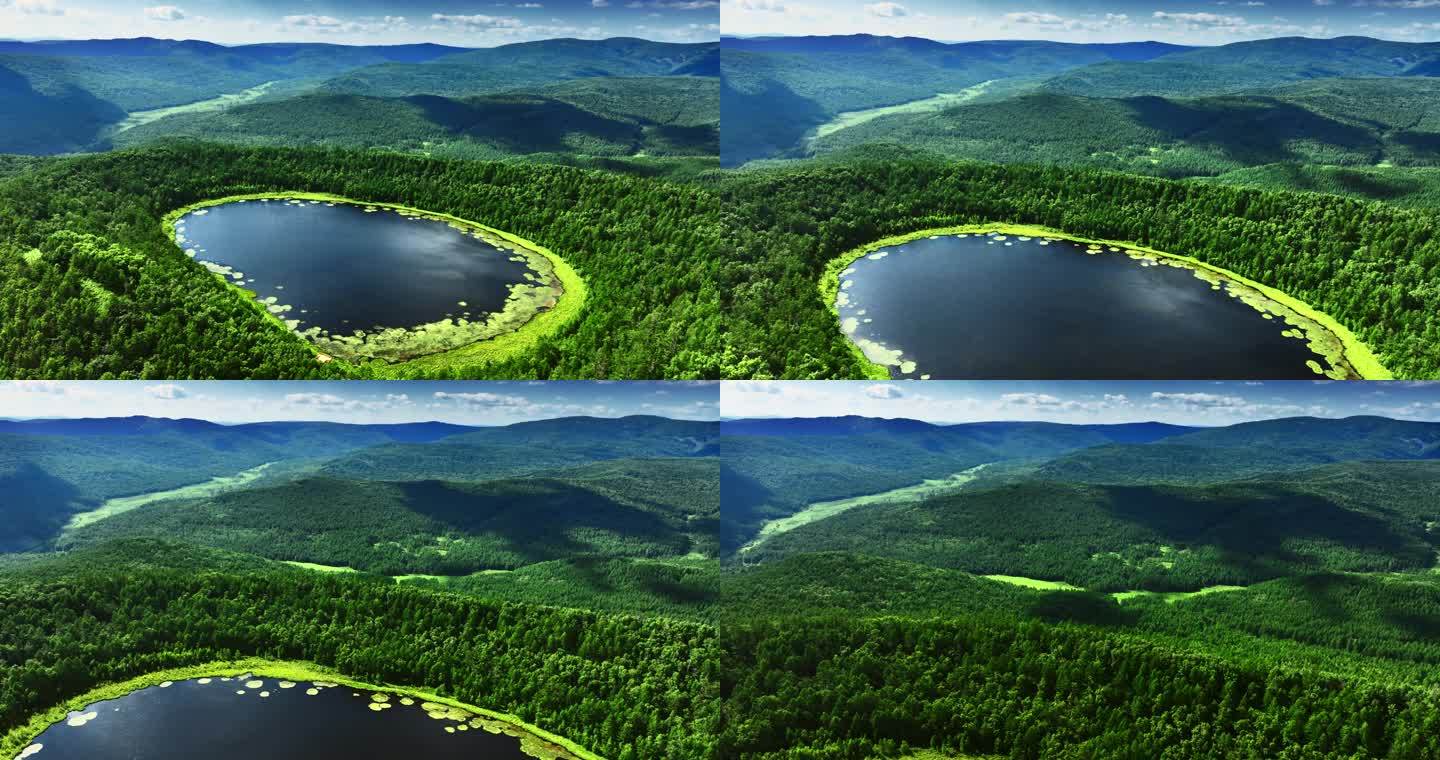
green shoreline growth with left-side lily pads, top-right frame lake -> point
(1349, 358)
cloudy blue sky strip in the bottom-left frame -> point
(358, 402)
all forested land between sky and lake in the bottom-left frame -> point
(567, 572)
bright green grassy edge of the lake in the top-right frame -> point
(1353, 352)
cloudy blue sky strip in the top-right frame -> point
(1199, 22)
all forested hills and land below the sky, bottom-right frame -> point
(1264, 589)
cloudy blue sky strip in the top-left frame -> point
(473, 24)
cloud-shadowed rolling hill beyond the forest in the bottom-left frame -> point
(447, 529)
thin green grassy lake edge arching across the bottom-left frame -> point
(19, 738)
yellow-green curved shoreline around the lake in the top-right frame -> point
(1324, 333)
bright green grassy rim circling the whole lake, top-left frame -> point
(498, 349)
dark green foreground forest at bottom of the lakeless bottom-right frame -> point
(846, 689)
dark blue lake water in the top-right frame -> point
(980, 307)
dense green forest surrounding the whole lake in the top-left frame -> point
(93, 287)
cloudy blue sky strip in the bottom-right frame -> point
(1084, 402)
